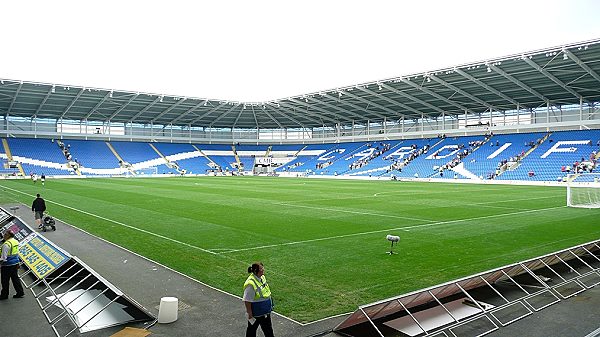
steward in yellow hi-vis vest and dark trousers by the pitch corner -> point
(257, 300)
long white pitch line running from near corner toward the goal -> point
(391, 229)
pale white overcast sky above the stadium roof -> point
(255, 51)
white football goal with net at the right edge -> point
(583, 190)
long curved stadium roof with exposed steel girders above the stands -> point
(557, 76)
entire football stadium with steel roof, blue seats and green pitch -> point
(460, 201)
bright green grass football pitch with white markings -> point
(323, 241)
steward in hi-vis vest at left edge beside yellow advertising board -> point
(10, 266)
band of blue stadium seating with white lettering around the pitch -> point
(525, 156)
